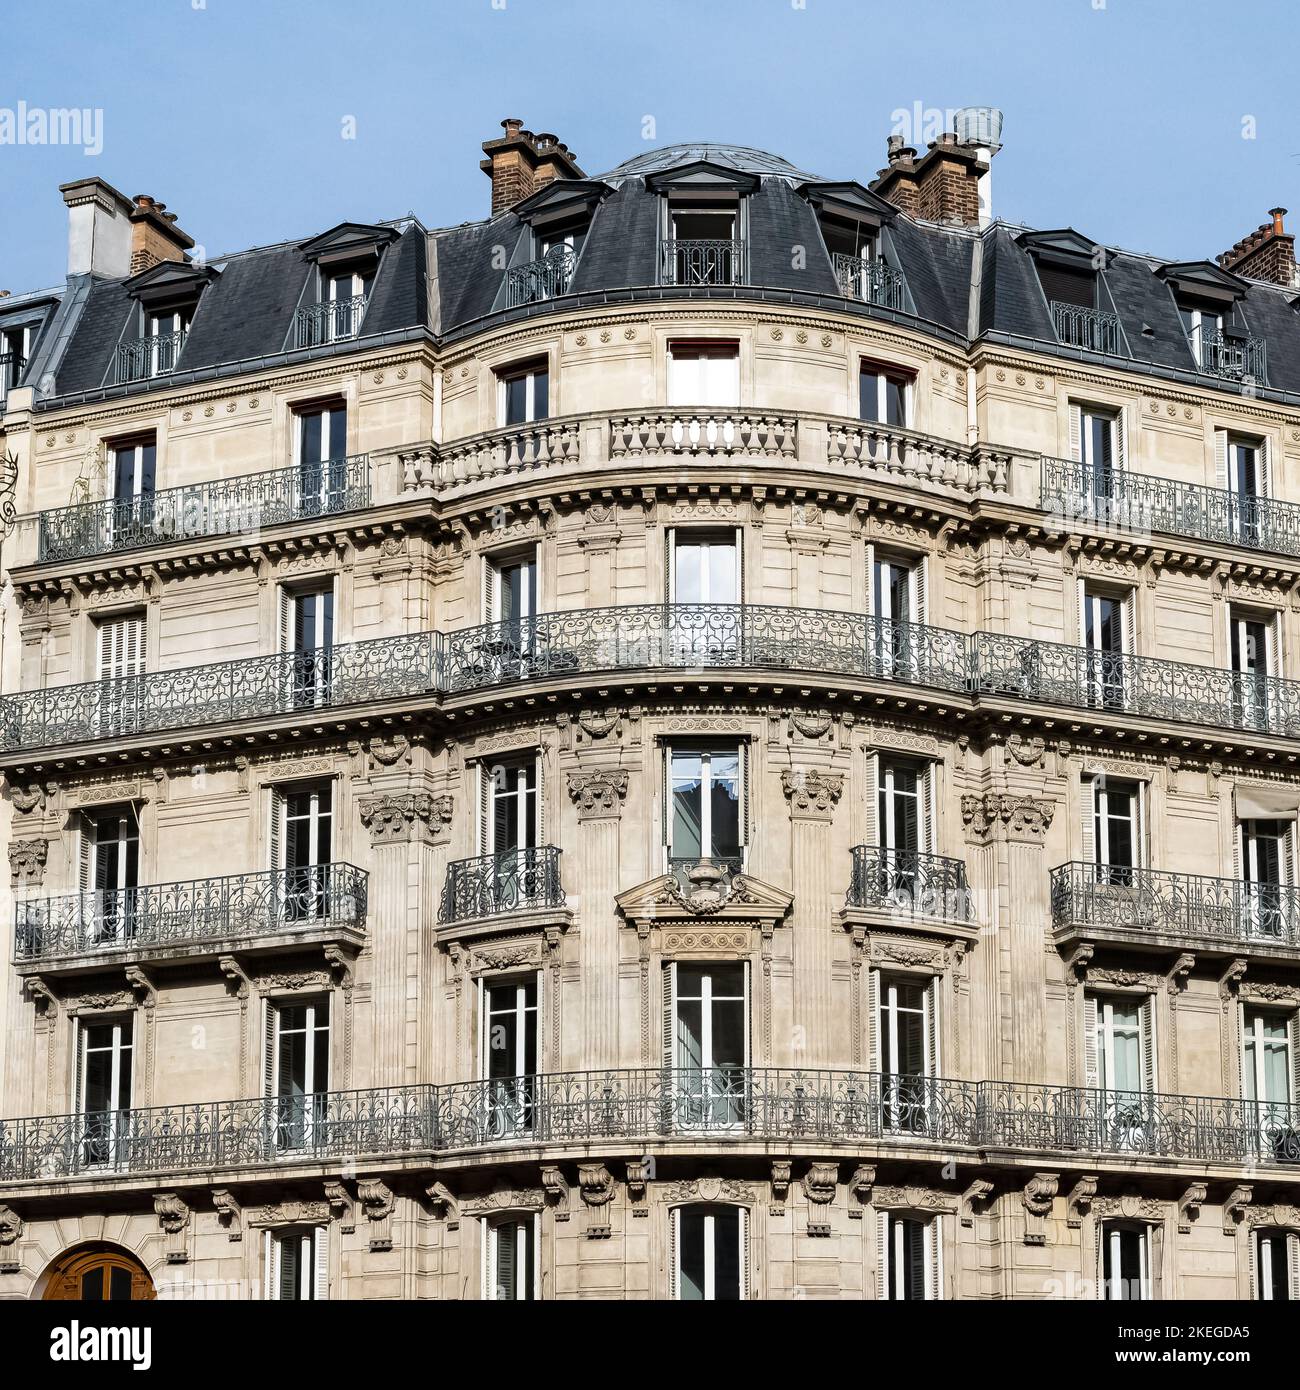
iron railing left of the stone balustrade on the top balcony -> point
(225, 507)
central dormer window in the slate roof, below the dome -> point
(703, 224)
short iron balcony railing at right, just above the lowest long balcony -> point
(1139, 901)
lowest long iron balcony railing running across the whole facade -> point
(718, 1106)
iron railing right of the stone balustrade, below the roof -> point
(1142, 504)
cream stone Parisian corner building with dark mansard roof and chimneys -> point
(720, 735)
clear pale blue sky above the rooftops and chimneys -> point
(1123, 117)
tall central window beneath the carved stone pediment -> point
(707, 1040)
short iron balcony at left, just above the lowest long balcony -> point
(188, 914)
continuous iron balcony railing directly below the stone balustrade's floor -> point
(644, 639)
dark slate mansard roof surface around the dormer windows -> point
(448, 283)
